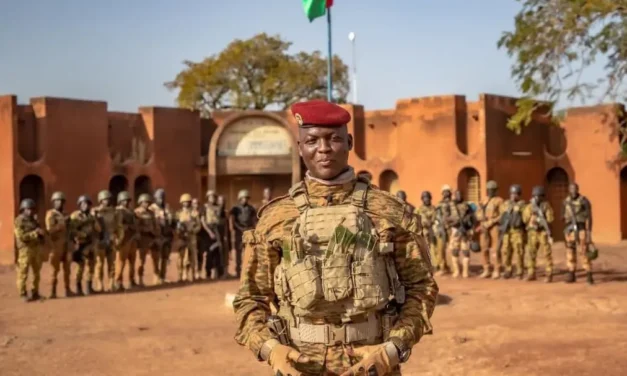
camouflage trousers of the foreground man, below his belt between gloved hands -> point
(330, 360)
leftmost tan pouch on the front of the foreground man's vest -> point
(304, 282)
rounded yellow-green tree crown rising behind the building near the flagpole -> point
(257, 73)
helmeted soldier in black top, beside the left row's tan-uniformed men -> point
(242, 217)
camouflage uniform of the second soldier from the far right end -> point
(538, 238)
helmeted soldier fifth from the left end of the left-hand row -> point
(128, 241)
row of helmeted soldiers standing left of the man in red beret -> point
(93, 237)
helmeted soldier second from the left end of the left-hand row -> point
(56, 227)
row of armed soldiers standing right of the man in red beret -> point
(508, 230)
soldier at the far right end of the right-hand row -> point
(577, 214)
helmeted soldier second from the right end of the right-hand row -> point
(538, 216)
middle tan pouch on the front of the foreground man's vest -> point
(336, 277)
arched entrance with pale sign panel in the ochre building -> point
(253, 150)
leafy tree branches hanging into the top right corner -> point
(554, 42)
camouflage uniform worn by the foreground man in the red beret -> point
(273, 239)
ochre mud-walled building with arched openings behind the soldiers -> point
(78, 146)
